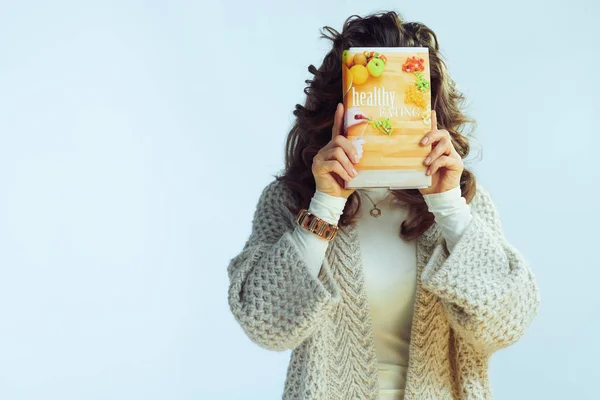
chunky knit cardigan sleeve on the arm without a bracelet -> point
(486, 286)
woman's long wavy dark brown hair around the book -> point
(314, 120)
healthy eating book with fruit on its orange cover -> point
(387, 103)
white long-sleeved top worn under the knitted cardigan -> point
(389, 264)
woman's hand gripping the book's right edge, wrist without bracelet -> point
(445, 164)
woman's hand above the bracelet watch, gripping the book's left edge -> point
(334, 163)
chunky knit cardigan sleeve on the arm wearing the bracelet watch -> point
(272, 293)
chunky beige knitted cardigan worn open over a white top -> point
(470, 303)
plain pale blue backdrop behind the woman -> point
(136, 137)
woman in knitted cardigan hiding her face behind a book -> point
(407, 305)
